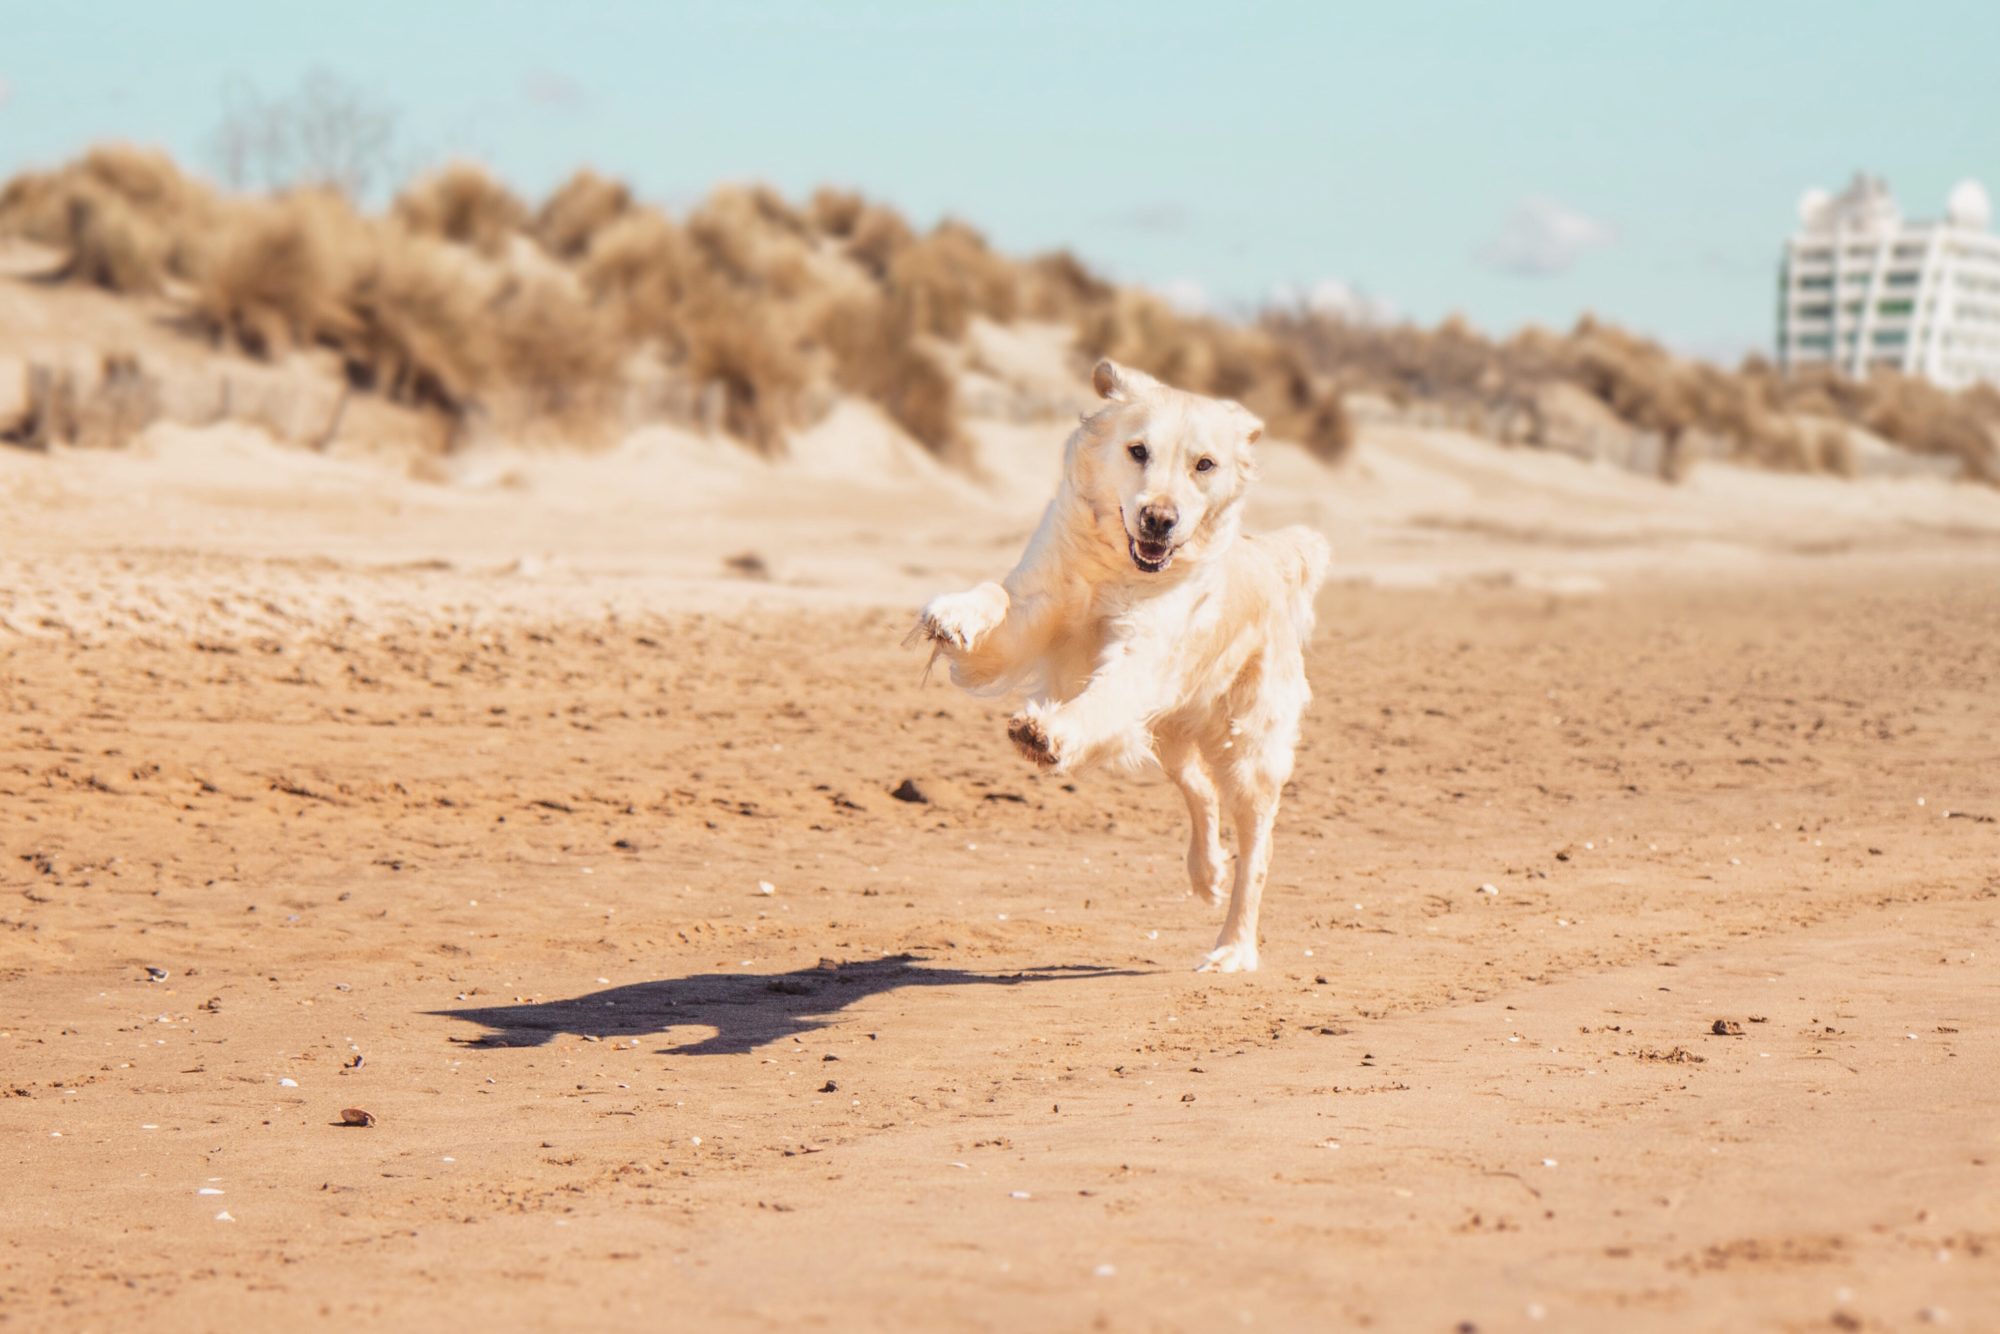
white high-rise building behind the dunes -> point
(1863, 287)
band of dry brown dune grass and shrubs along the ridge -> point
(755, 313)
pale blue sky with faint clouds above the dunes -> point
(1515, 163)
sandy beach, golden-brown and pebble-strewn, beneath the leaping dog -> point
(547, 813)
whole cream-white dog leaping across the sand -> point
(1149, 641)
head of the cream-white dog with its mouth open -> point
(1169, 465)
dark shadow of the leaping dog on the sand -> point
(745, 1009)
